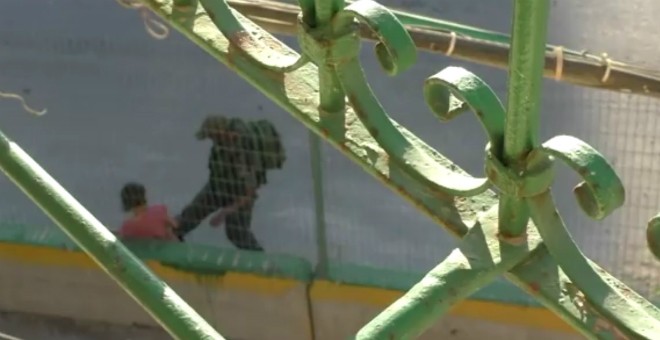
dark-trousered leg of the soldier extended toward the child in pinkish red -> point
(204, 203)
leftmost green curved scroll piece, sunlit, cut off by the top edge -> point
(249, 42)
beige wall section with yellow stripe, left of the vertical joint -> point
(67, 284)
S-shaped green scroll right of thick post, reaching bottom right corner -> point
(599, 194)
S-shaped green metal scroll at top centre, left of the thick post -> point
(395, 52)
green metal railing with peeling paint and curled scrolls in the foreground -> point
(522, 237)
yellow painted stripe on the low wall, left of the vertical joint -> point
(231, 280)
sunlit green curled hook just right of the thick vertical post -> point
(601, 191)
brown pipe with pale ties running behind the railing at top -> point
(479, 46)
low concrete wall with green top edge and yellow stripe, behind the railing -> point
(245, 295)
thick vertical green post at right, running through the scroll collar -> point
(526, 63)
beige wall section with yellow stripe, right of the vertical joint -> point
(340, 310)
